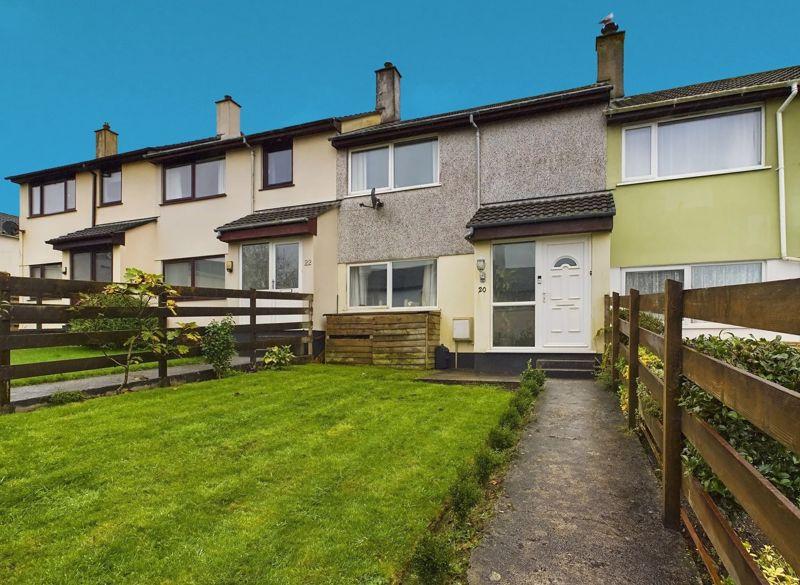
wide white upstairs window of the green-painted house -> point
(722, 142)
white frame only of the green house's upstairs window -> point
(654, 124)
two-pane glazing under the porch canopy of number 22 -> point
(271, 265)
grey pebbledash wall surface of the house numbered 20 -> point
(556, 153)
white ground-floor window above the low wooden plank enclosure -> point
(400, 284)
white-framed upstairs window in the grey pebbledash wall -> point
(409, 164)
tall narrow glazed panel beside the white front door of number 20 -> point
(514, 294)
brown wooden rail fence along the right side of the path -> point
(775, 410)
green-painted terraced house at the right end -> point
(706, 182)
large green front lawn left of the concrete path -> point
(317, 474)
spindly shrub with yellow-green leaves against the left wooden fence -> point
(142, 290)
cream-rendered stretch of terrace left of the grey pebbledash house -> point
(232, 210)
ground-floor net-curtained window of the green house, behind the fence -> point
(648, 281)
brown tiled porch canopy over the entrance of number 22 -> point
(280, 221)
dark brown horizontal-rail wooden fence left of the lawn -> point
(36, 313)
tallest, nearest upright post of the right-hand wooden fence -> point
(673, 365)
